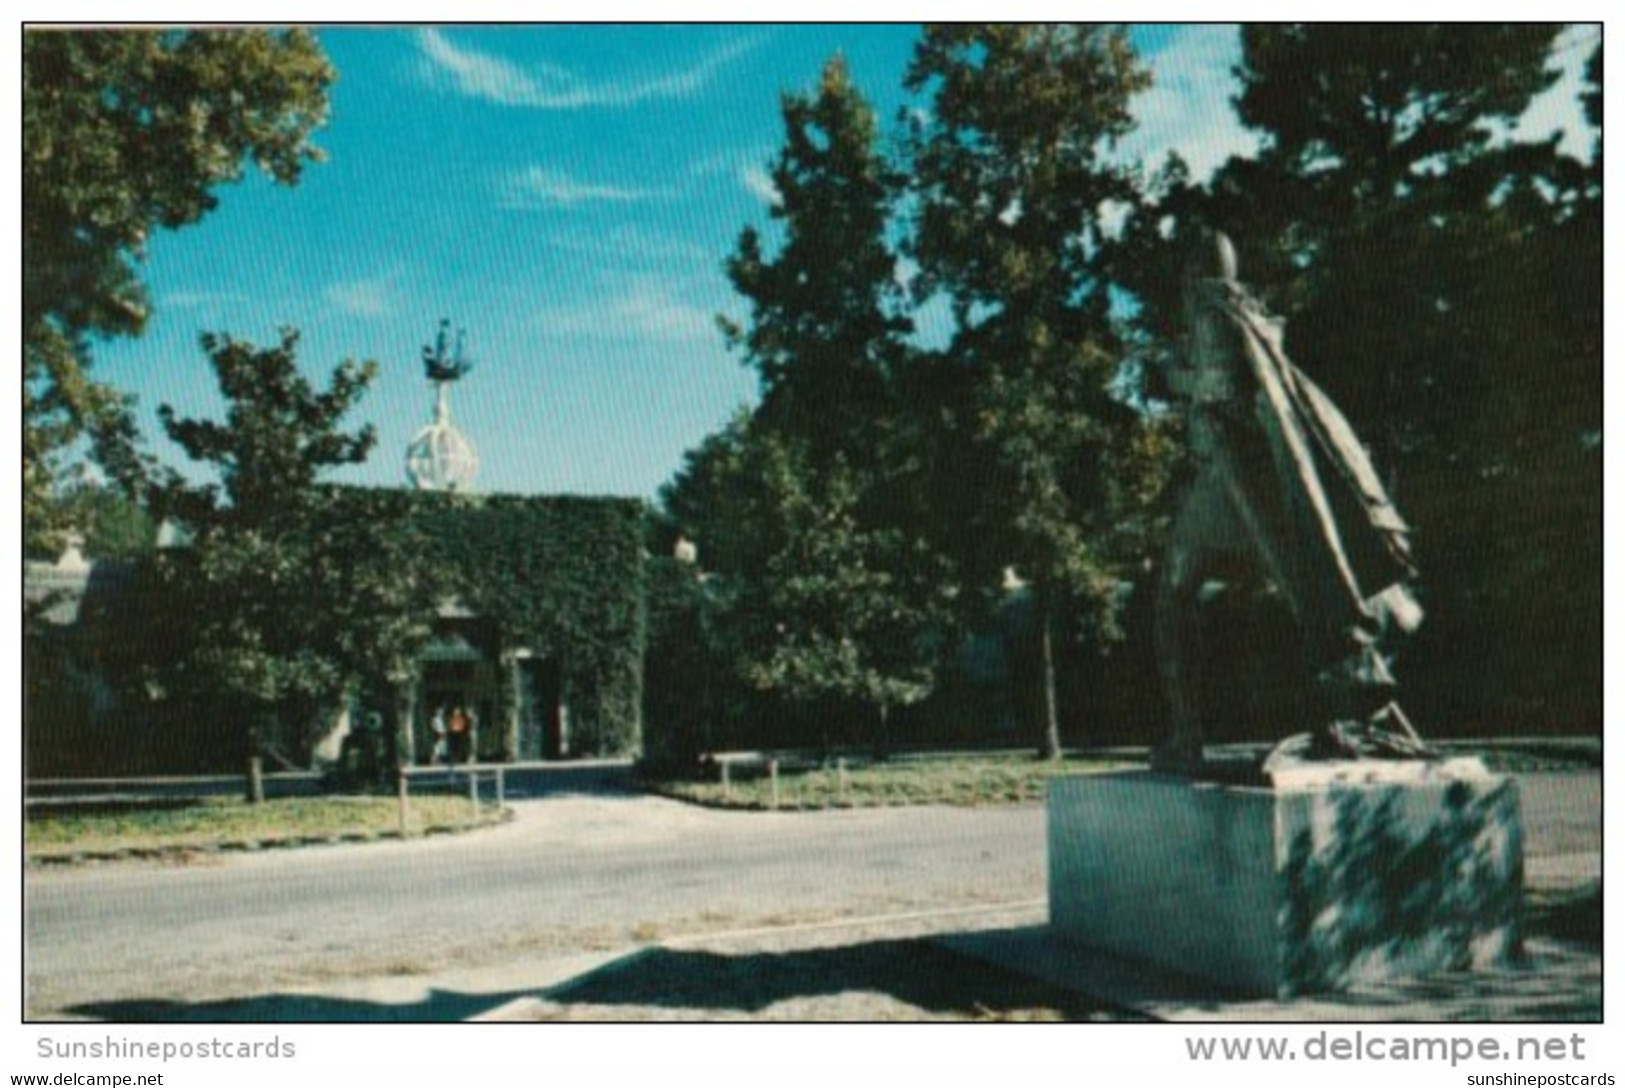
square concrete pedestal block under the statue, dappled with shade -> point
(1315, 886)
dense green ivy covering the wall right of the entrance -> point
(565, 579)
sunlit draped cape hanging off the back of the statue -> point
(1361, 525)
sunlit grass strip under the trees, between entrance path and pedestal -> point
(951, 780)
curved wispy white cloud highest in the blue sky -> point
(498, 80)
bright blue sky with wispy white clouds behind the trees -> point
(568, 196)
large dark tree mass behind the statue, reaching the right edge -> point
(1442, 280)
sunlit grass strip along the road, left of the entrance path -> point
(230, 824)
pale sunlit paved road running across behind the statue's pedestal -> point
(570, 874)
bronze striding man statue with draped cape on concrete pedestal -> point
(1283, 483)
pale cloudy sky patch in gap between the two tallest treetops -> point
(1189, 105)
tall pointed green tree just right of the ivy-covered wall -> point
(800, 509)
